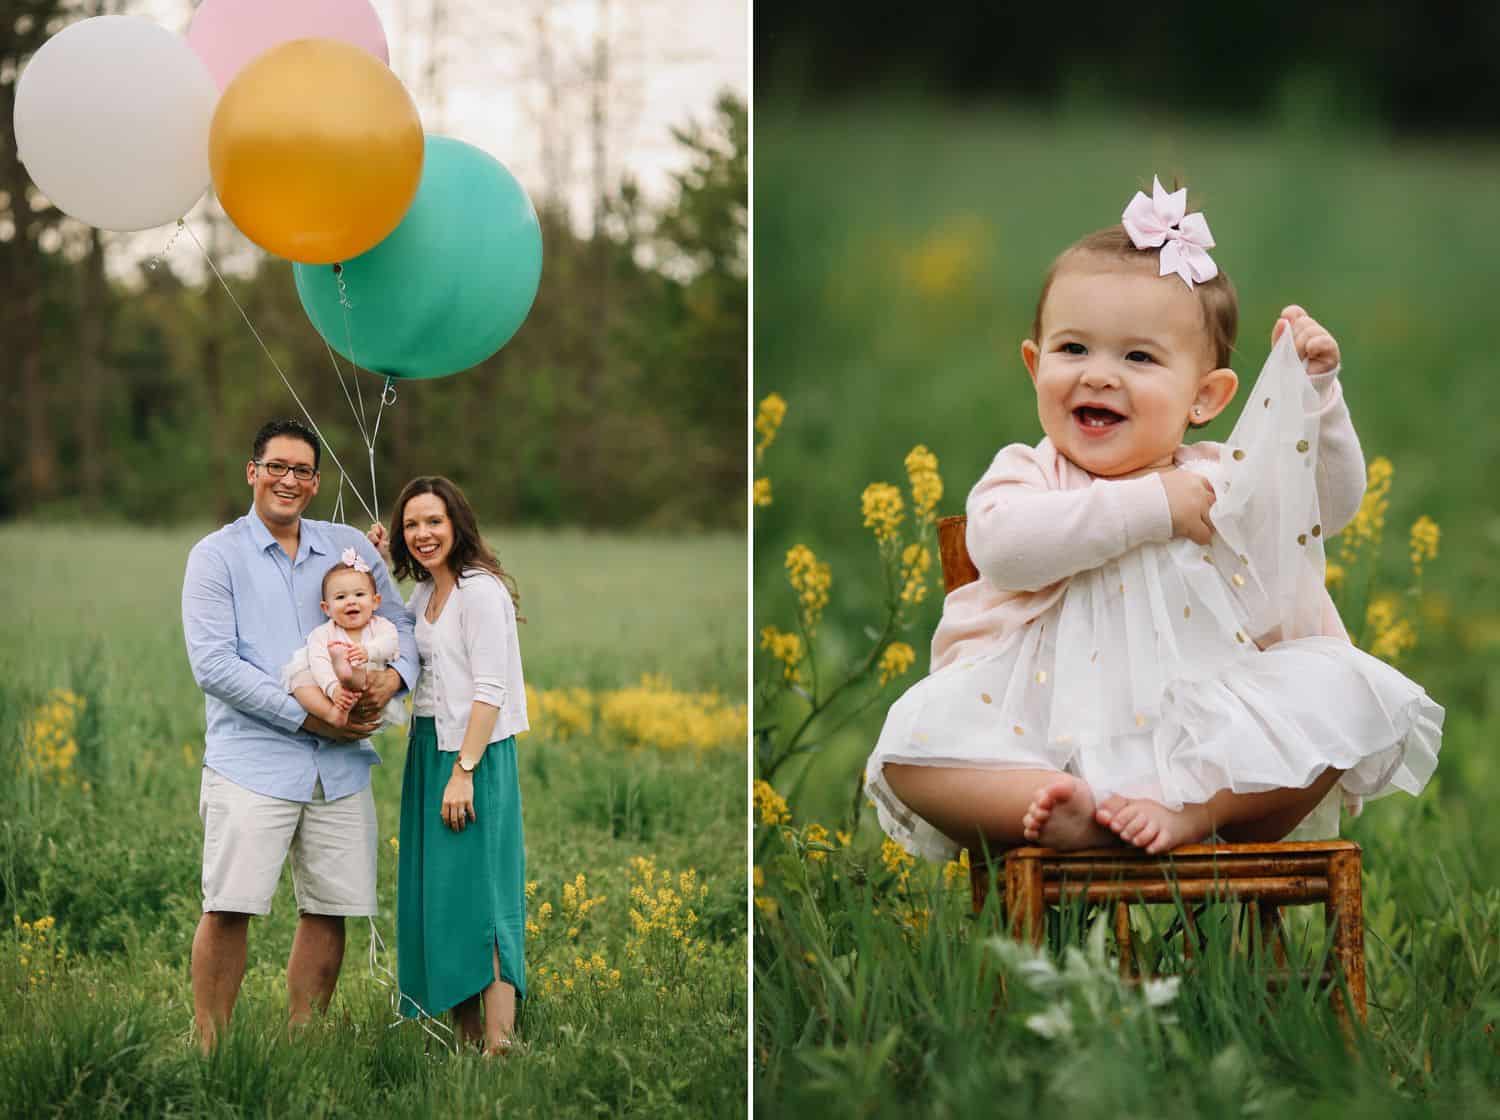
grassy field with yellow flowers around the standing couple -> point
(626, 785)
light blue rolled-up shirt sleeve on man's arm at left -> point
(211, 632)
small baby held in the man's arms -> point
(331, 672)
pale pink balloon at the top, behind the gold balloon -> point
(229, 34)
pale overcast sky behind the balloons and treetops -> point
(668, 62)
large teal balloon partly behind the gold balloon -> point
(449, 287)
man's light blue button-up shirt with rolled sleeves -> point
(247, 609)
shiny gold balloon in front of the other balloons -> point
(316, 151)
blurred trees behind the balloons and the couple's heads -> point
(133, 391)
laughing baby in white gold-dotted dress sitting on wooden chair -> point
(1150, 654)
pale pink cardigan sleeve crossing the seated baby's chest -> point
(1027, 533)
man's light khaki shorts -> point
(248, 836)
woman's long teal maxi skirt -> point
(460, 896)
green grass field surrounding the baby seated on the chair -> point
(899, 250)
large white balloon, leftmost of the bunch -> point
(112, 121)
